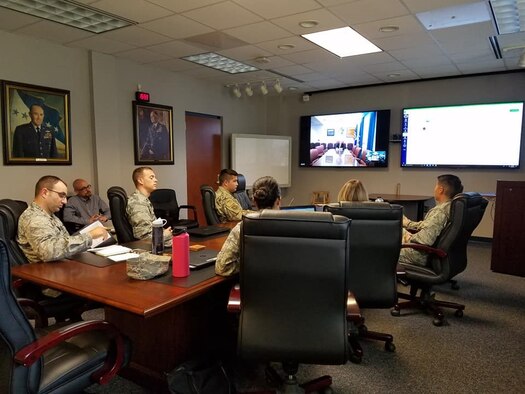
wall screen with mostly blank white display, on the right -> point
(477, 135)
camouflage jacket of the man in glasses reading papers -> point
(43, 237)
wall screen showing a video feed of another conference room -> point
(351, 139)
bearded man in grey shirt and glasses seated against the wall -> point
(85, 207)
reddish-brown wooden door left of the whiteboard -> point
(203, 156)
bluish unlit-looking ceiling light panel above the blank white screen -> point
(459, 15)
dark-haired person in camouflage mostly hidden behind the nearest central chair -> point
(266, 195)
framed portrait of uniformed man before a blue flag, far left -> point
(35, 124)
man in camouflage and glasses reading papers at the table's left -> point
(41, 235)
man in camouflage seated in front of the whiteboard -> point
(228, 208)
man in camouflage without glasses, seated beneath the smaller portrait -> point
(140, 210)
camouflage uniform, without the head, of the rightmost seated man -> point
(428, 231)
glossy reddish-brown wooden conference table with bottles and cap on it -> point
(168, 322)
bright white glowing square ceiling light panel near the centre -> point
(342, 42)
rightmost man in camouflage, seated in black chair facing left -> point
(428, 230)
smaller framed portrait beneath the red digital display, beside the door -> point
(153, 133)
